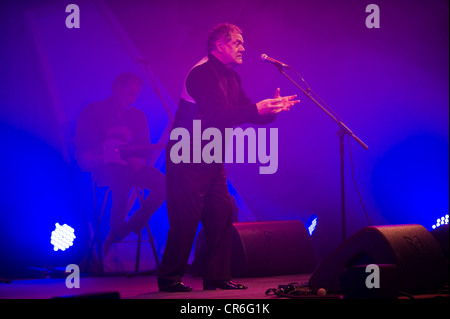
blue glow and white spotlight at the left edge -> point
(43, 222)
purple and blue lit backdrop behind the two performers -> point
(388, 84)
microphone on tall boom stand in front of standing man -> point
(343, 130)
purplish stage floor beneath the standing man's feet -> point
(140, 287)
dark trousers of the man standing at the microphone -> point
(197, 193)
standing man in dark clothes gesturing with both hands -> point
(197, 192)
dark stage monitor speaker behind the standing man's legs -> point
(266, 249)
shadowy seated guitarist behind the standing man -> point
(112, 141)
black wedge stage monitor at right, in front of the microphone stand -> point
(411, 249)
